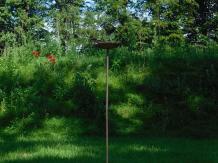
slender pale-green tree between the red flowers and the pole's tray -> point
(67, 15)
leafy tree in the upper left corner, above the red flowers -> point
(22, 18)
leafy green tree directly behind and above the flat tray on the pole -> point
(122, 22)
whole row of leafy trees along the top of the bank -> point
(137, 24)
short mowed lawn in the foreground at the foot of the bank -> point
(59, 140)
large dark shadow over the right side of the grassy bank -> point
(181, 92)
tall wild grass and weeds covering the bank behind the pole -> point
(165, 91)
